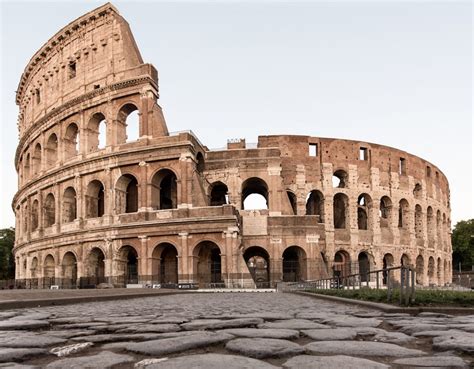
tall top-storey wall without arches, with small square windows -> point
(93, 51)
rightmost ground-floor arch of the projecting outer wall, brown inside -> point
(207, 263)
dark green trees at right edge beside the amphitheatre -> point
(463, 244)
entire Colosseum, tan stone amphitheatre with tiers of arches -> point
(107, 194)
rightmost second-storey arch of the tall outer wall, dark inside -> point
(164, 190)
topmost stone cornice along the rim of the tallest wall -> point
(59, 38)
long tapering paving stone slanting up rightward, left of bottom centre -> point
(166, 346)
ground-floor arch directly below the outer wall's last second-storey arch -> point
(165, 264)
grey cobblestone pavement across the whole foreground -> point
(231, 330)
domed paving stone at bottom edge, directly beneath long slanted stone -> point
(211, 361)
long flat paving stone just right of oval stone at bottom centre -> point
(362, 348)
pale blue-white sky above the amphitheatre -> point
(393, 73)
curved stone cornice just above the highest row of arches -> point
(78, 100)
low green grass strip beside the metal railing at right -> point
(422, 297)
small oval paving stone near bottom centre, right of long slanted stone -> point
(260, 348)
